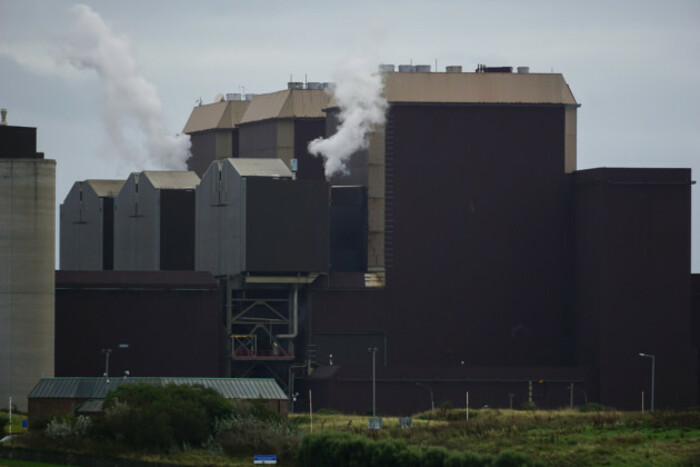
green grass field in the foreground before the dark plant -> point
(563, 437)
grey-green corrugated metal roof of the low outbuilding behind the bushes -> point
(97, 388)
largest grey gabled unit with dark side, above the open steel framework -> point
(253, 218)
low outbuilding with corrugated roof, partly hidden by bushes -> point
(63, 396)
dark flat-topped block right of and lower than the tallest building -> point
(633, 279)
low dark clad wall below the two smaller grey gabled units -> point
(156, 323)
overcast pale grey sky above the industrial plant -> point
(633, 65)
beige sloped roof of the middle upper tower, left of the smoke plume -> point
(290, 103)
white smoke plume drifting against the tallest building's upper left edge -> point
(358, 92)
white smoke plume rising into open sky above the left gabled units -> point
(128, 98)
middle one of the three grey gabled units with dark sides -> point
(154, 222)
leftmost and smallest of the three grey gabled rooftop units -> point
(87, 225)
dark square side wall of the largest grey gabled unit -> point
(286, 225)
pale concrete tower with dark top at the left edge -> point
(27, 280)
